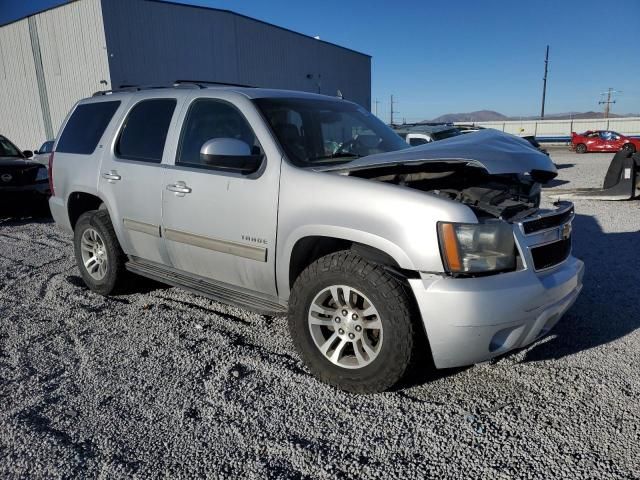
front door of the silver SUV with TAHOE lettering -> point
(221, 223)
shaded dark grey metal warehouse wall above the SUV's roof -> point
(152, 42)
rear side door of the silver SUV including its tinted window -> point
(131, 176)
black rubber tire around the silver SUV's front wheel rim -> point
(394, 305)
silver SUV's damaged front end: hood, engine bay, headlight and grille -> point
(499, 177)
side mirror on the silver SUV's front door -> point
(230, 154)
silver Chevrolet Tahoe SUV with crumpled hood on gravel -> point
(308, 205)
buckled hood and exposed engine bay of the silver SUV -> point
(497, 175)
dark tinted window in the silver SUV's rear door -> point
(145, 130)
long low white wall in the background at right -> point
(562, 129)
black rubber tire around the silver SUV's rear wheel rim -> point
(116, 273)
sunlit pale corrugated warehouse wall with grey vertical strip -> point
(47, 63)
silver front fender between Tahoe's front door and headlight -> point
(398, 221)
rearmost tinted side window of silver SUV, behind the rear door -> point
(86, 126)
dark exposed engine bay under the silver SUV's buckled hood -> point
(509, 197)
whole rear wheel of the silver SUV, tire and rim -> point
(98, 253)
